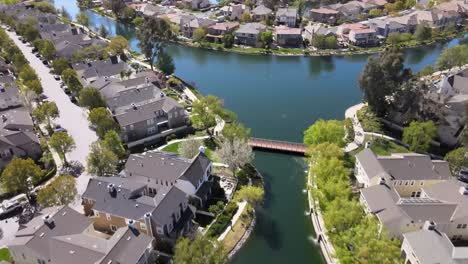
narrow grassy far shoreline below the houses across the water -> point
(300, 52)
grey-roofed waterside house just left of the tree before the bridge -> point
(151, 121)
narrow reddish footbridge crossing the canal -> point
(277, 145)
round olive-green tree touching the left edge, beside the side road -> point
(19, 176)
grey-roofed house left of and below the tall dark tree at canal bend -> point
(88, 72)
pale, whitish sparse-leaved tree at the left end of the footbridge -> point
(235, 153)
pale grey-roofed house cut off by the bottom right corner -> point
(429, 245)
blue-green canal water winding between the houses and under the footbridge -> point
(278, 98)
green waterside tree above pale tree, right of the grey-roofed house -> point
(204, 112)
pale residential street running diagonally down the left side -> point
(72, 117)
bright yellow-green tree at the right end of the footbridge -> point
(331, 131)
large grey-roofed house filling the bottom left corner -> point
(62, 235)
